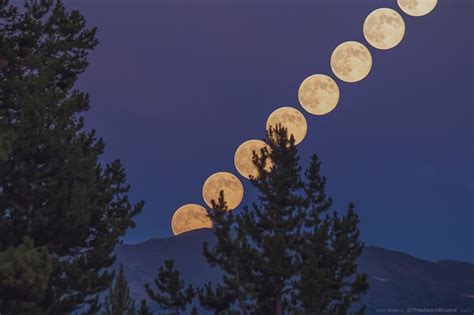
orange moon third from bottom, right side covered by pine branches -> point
(243, 158)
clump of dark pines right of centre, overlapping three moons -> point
(286, 252)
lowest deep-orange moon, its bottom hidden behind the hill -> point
(190, 217)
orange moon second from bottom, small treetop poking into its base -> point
(223, 181)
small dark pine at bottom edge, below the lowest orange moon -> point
(172, 293)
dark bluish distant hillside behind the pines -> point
(397, 280)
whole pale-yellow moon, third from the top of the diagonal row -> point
(351, 61)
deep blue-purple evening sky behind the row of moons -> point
(176, 86)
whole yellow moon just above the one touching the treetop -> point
(318, 94)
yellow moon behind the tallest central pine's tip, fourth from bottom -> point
(291, 119)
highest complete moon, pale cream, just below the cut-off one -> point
(384, 28)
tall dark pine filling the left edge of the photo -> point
(53, 189)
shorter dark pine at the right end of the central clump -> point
(328, 282)
